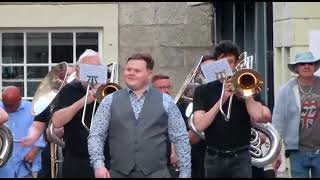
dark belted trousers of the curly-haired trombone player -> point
(225, 165)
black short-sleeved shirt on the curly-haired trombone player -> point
(221, 134)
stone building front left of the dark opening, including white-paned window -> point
(35, 36)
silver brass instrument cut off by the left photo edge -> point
(6, 144)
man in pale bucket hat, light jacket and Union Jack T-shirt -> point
(296, 117)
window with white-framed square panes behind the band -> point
(27, 56)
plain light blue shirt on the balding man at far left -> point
(19, 123)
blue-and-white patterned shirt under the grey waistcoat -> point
(176, 130)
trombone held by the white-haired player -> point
(101, 92)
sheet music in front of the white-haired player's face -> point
(98, 73)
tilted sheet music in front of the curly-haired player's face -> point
(216, 70)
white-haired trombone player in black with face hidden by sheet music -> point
(68, 114)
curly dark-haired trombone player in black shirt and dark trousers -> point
(228, 142)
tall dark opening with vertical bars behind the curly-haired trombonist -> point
(249, 24)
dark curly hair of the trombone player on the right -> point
(226, 47)
